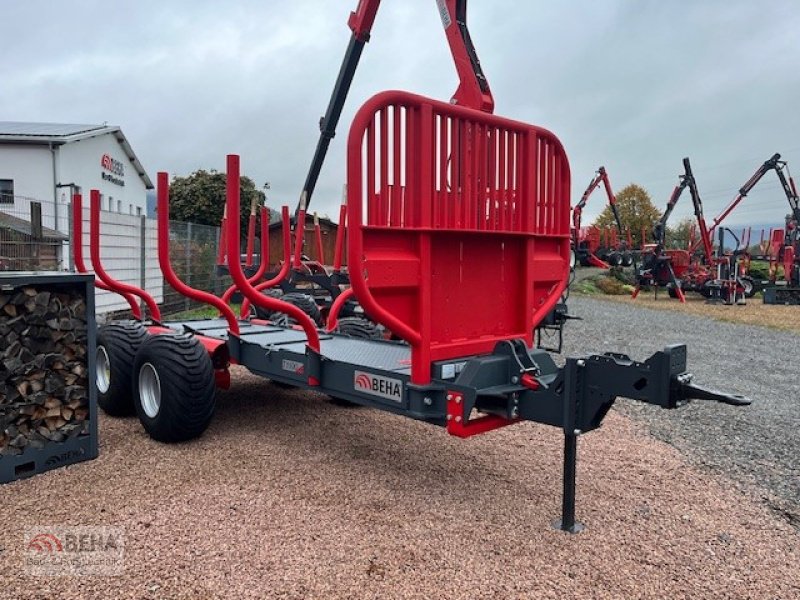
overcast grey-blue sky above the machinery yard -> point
(633, 85)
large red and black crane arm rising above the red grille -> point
(473, 89)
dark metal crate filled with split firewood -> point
(48, 404)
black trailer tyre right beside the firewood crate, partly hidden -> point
(117, 345)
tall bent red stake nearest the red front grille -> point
(235, 267)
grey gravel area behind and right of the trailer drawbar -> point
(759, 445)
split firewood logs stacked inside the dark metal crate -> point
(43, 367)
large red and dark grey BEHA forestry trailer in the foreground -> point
(445, 201)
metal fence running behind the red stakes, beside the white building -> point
(31, 239)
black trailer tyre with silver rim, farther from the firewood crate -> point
(173, 388)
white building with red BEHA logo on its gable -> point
(45, 164)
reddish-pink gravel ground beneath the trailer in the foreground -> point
(288, 496)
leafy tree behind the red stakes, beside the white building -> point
(200, 198)
